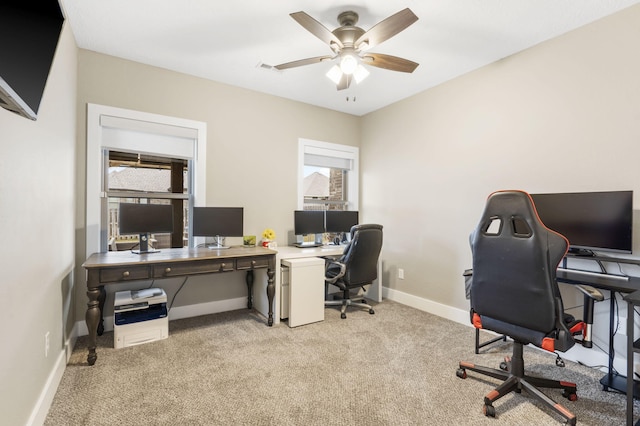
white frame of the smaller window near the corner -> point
(341, 153)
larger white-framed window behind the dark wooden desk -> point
(125, 137)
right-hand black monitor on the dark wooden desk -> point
(218, 222)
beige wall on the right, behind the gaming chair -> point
(562, 116)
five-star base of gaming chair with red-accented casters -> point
(514, 380)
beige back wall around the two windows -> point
(252, 148)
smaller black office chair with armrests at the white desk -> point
(357, 267)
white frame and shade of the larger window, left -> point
(173, 137)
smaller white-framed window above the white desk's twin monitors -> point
(328, 176)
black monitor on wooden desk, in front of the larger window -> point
(145, 219)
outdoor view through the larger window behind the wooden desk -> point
(138, 178)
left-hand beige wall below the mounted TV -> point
(37, 193)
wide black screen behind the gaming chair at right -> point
(590, 220)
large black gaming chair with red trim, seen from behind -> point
(515, 293)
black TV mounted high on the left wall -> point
(29, 33)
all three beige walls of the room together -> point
(562, 116)
